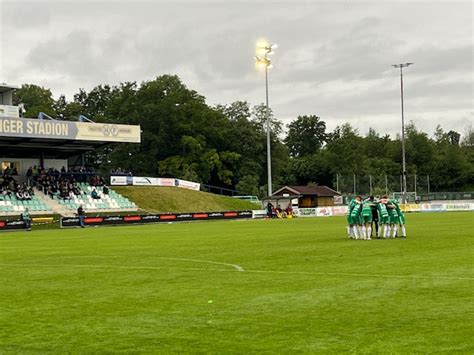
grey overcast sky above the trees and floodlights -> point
(333, 57)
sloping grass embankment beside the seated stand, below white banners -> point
(173, 199)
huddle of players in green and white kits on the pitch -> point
(384, 214)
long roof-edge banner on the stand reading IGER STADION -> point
(53, 129)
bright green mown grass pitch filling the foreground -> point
(179, 288)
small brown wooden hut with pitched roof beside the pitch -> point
(308, 196)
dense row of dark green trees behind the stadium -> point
(225, 145)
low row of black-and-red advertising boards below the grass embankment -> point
(155, 218)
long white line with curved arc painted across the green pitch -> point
(415, 277)
